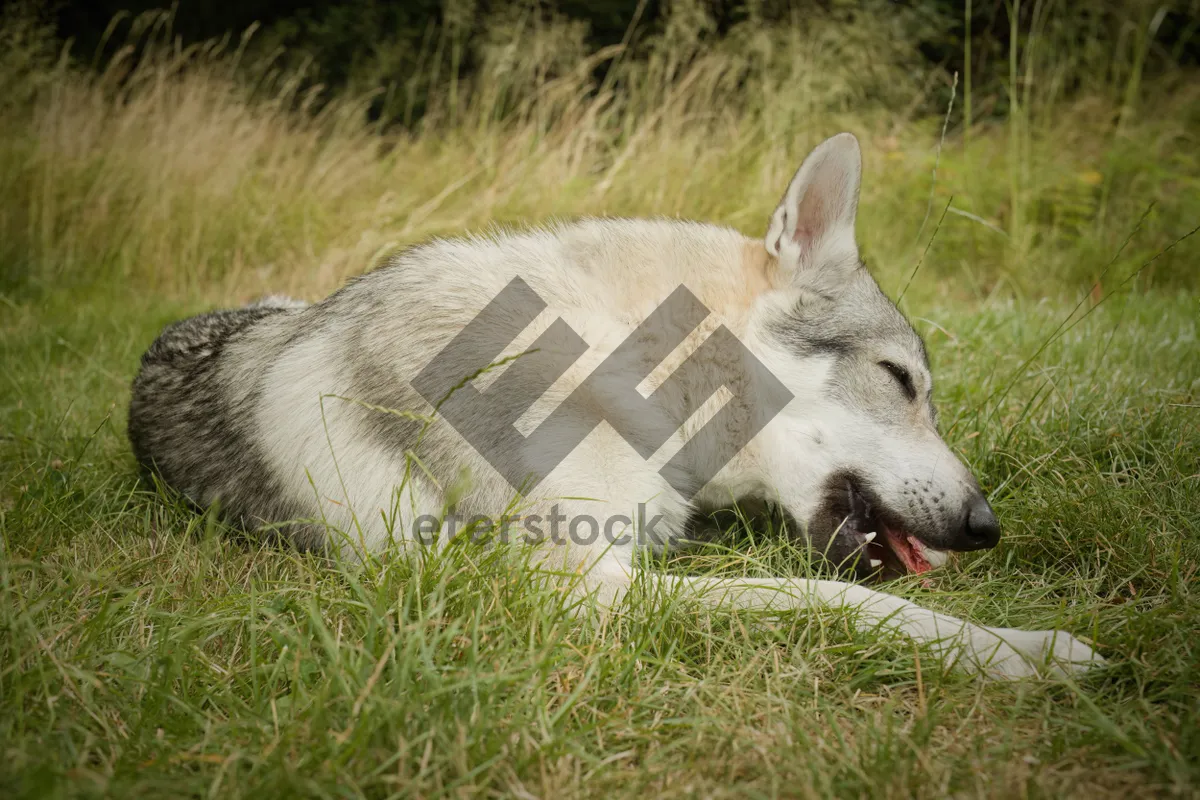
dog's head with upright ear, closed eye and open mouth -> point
(856, 458)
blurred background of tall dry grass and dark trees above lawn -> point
(1031, 148)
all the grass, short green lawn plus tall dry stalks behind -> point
(143, 653)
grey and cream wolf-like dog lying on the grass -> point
(309, 420)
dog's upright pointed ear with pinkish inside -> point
(812, 233)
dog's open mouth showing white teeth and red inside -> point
(883, 549)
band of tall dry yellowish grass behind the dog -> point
(214, 170)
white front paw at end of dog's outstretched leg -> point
(1012, 654)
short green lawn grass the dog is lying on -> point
(142, 653)
